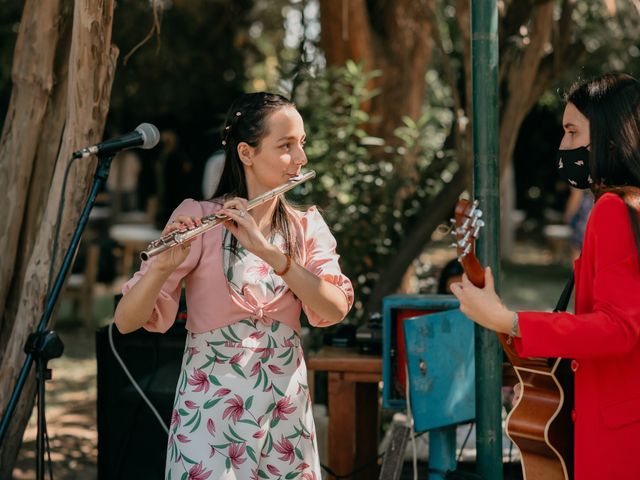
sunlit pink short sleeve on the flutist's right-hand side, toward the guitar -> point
(322, 259)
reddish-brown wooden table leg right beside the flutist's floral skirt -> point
(342, 424)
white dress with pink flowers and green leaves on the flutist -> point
(242, 408)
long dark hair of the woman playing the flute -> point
(247, 122)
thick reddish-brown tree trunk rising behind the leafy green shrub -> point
(393, 37)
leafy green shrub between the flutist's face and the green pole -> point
(367, 196)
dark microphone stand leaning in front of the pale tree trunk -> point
(45, 345)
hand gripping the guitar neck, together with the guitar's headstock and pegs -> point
(476, 292)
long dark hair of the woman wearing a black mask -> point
(611, 103)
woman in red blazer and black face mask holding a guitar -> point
(600, 150)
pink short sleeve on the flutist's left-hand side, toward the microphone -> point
(166, 307)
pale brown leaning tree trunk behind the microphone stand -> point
(62, 73)
